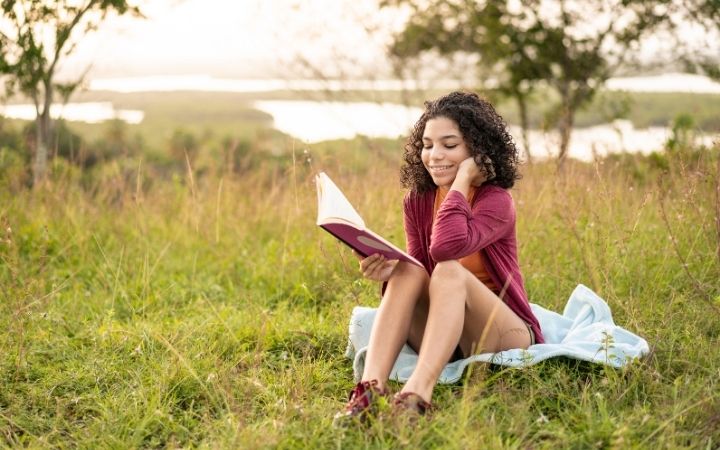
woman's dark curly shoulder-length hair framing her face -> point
(484, 132)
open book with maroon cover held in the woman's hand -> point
(337, 216)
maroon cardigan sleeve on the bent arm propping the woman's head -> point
(459, 230)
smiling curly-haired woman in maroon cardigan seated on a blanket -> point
(460, 223)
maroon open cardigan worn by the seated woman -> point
(459, 230)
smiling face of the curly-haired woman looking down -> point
(443, 150)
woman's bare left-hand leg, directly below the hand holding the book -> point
(406, 290)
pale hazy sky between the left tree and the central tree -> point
(225, 37)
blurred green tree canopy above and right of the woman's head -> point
(571, 47)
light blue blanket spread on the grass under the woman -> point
(584, 331)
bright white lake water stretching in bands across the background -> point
(313, 121)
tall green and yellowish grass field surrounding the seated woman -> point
(209, 311)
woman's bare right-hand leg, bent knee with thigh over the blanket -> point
(462, 311)
